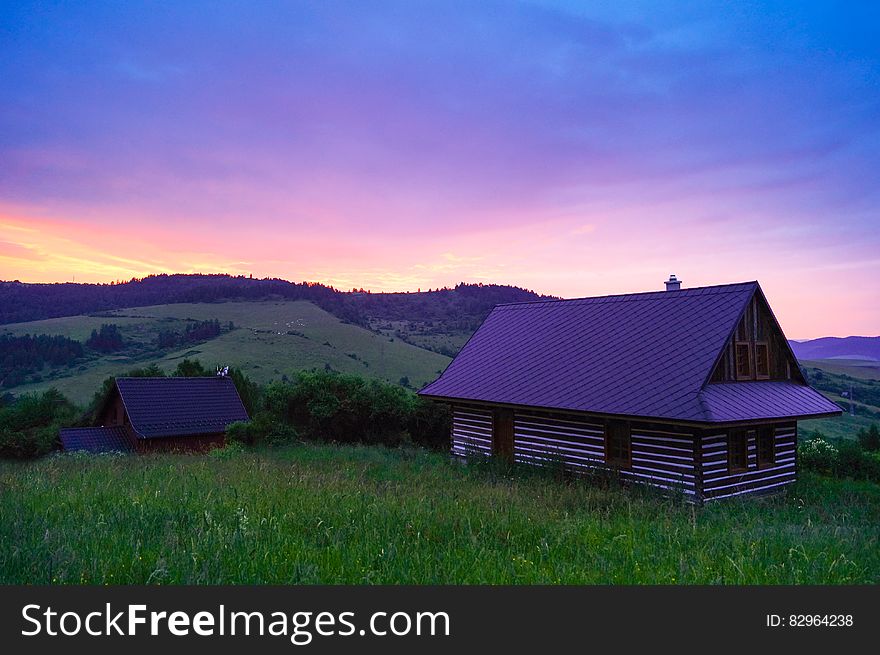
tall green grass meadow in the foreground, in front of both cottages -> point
(326, 514)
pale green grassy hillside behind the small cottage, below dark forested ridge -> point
(259, 345)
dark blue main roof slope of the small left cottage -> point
(168, 407)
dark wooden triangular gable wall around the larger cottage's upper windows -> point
(757, 326)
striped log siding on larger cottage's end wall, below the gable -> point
(718, 482)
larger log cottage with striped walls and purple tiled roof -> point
(695, 390)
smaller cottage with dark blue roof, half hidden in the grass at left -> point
(161, 415)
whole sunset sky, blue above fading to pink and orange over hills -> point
(404, 145)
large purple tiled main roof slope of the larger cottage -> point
(644, 354)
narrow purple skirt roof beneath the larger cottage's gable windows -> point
(741, 401)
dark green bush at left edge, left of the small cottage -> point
(29, 427)
